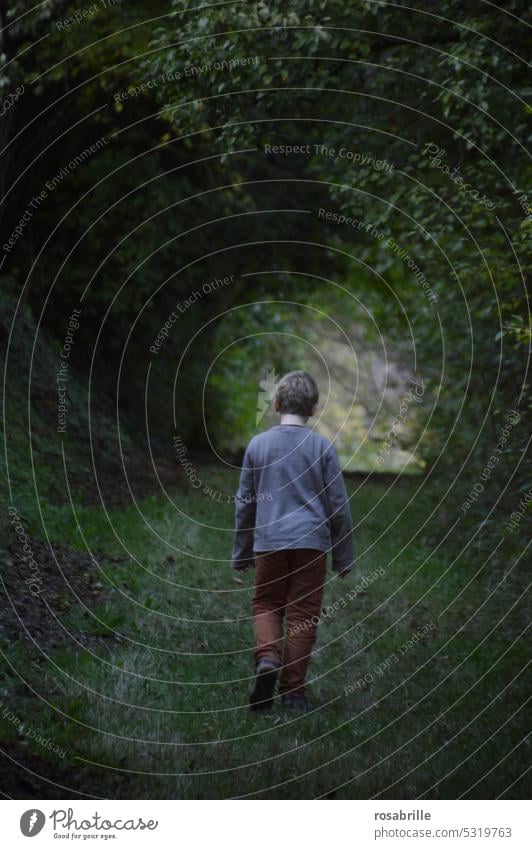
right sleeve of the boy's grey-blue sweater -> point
(341, 522)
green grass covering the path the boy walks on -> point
(163, 703)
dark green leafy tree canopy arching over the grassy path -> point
(365, 160)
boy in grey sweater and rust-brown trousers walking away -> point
(291, 508)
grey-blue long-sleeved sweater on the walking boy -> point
(292, 495)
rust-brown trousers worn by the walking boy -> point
(288, 584)
